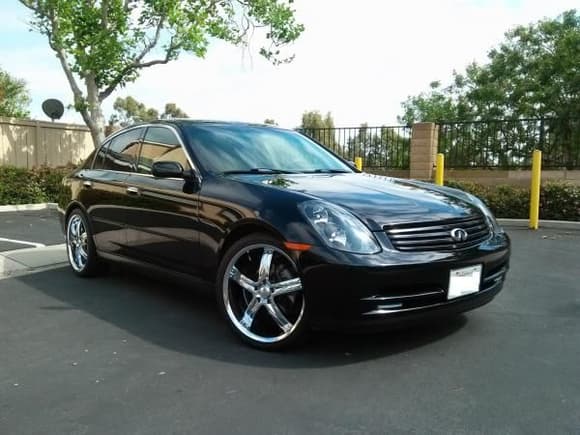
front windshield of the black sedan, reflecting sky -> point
(241, 148)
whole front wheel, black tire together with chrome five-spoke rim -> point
(277, 293)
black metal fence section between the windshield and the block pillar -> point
(379, 147)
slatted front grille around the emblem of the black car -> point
(436, 236)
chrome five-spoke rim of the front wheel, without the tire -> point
(263, 293)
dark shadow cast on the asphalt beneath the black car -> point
(177, 314)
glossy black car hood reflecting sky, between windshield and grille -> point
(376, 200)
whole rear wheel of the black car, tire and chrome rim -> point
(91, 266)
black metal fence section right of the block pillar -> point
(509, 143)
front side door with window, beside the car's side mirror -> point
(162, 216)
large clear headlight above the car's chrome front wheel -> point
(339, 228)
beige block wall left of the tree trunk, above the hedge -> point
(29, 143)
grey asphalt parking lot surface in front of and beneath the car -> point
(133, 352)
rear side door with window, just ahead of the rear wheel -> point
(104, 189)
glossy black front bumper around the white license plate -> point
(396, 287)
